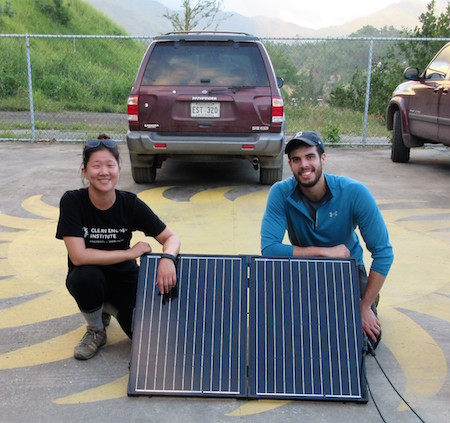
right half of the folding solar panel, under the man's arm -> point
(305, 330)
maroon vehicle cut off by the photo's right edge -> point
(419, 111)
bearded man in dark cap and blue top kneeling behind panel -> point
(320, 213)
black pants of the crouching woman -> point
(93, 286)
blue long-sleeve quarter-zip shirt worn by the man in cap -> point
(351, 205)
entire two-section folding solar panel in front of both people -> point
(295, 324)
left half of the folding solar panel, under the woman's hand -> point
(191, 345)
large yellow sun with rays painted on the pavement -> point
(33, 267)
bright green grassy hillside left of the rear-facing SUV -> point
(67, 73)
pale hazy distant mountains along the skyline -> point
(144, 17)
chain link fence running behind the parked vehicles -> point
(73, 87)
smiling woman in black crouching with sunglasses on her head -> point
(96, 224)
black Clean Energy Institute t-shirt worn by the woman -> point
(109, 229)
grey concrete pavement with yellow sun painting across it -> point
(40, 324)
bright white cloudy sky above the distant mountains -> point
(312, 14)
